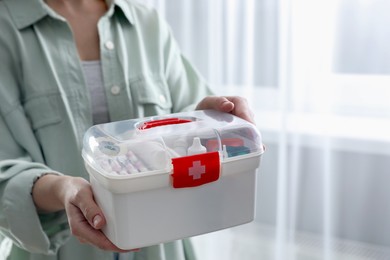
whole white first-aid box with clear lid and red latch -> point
(163, 178)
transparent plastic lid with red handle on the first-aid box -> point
(145, 145)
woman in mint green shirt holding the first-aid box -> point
(68, 64)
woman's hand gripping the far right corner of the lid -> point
(235, 105)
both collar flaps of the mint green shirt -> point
(27, 12)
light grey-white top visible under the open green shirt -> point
(94, 78)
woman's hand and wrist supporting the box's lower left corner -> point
(52, 193)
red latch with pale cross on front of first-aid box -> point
(195, 170)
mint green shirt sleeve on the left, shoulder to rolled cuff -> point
(21, 163)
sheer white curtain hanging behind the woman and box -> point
(317, 74)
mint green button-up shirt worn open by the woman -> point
(45, 109)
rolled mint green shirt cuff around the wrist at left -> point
(36, 233)
